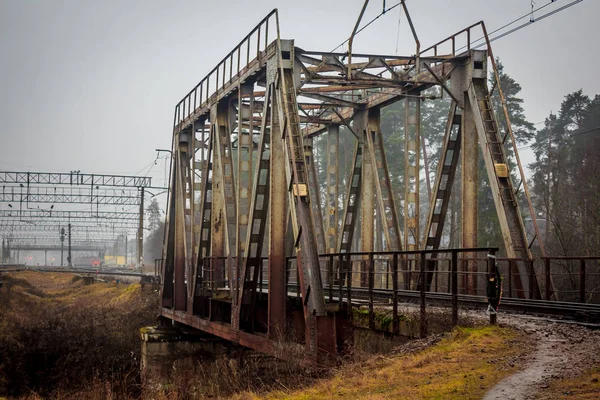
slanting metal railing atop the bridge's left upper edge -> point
(232, 65)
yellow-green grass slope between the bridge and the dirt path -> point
(462, 366)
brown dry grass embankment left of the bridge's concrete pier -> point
(58, 336)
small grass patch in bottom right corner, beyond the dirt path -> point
(586, 386)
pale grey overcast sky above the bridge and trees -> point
(91, 85)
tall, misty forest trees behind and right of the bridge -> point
(562, 178)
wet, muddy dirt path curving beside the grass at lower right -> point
(561, 351)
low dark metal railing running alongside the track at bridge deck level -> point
(564, 279)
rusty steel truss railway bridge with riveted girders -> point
(238, 214)
